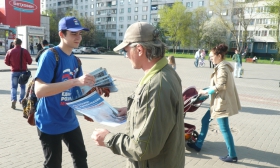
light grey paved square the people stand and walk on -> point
(255, 129)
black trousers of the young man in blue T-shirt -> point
(52, 148)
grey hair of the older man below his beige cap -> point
(154, 49)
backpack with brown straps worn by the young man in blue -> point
(29, 102)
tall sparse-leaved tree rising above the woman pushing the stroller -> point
(235, 16)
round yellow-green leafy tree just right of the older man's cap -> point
(174, 22)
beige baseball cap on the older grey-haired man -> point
(138, 32)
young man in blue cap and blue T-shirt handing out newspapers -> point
(54, 119)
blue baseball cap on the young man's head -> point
(70, 23)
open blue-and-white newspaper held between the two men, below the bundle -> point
(95, 107)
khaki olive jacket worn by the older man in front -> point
(155, 124)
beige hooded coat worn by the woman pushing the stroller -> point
(225, 101)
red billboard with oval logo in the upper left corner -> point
(20, 13)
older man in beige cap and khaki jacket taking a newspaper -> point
(155, 126)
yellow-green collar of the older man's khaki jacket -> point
(157, 67)
